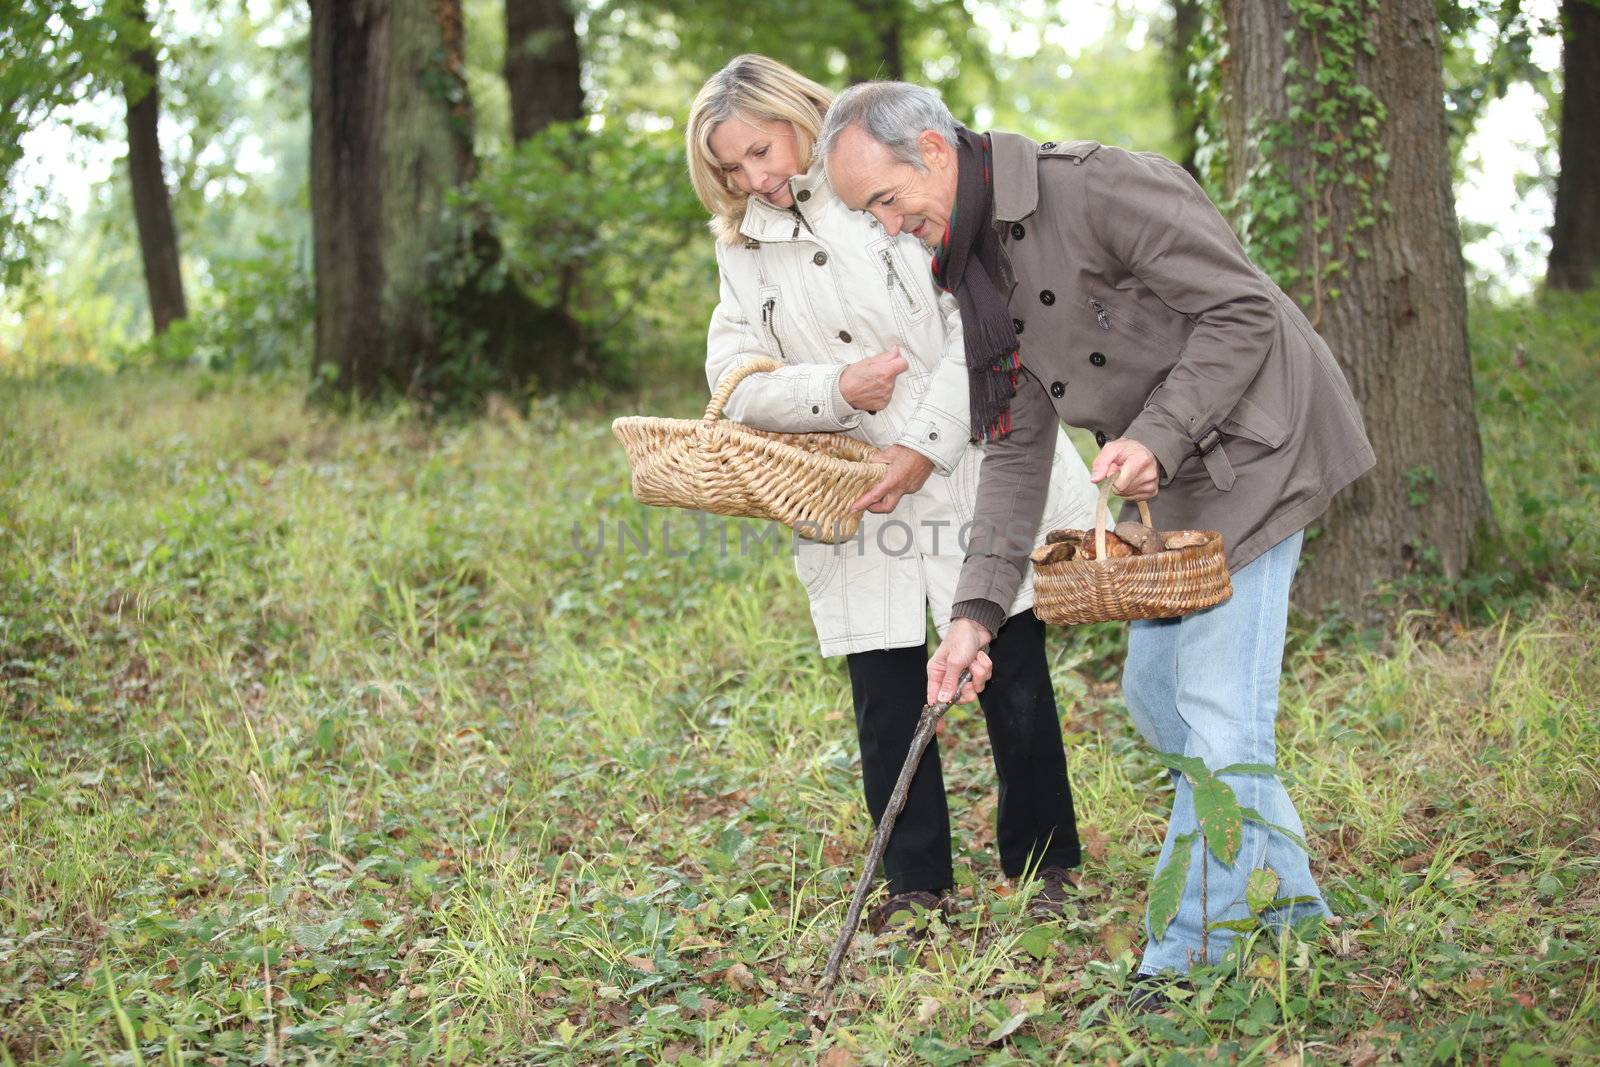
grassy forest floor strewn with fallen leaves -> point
(332, 740)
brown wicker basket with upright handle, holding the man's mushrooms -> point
(1159, 586)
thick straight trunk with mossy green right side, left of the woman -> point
(386, 145)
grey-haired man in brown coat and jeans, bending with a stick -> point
(1103, 289)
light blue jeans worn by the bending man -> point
(1207, 685)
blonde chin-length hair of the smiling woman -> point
(754, 89)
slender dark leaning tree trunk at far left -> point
(153, 209)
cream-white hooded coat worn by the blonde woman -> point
(820, 287)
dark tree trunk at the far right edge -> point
(1575, 239)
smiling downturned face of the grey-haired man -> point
(905, 199)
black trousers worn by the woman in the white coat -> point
(1036, 823)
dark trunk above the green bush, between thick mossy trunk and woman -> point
(543, 66)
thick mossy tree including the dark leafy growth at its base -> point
(409, 290)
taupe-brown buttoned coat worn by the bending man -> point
(1140, 316)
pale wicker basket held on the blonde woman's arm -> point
(802, 481)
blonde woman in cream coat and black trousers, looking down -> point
(870, 348)
